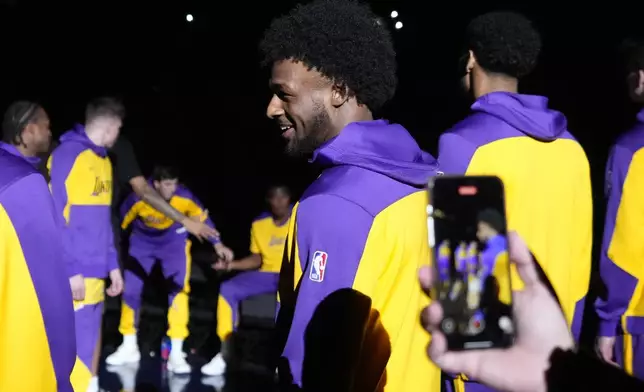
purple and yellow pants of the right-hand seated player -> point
(237, 289)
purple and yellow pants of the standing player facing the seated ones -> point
(88, 316)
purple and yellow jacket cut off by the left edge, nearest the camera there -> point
(37, 340)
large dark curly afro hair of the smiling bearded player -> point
(341, 39)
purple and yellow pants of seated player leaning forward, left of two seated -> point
(176, 263)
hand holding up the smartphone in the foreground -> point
(540, 324)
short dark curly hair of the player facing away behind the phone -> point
(504, 42)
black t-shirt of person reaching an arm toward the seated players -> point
(125, 167)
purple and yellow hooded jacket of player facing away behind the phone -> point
(547, 184)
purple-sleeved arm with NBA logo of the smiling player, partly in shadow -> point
(331, 237)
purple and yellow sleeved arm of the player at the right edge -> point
(623, 242)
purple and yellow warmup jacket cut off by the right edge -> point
(622, 257)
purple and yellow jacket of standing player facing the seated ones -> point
(81, 185)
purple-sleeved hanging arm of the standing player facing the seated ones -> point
(61, 166)
